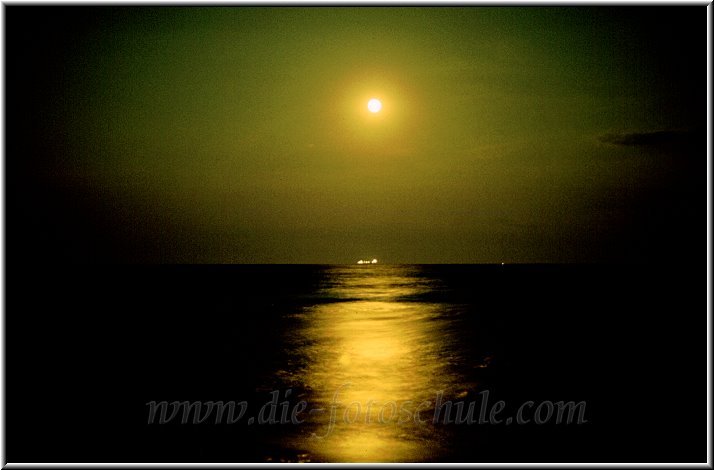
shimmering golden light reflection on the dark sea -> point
(371, 357)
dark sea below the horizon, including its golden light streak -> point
(89, 347)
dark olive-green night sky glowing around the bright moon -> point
(241, 135)
